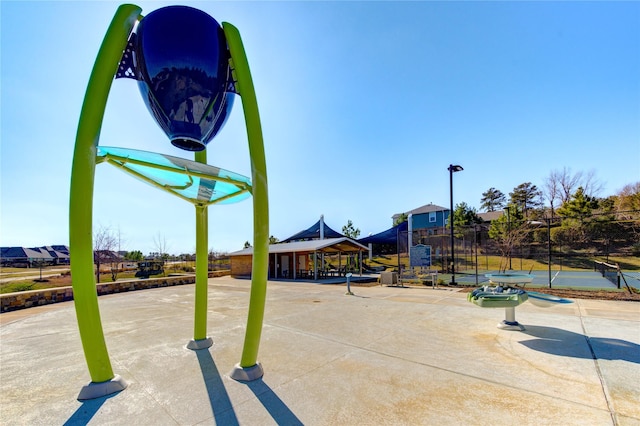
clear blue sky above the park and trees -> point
(363, 105)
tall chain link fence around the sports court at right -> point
(562, 243)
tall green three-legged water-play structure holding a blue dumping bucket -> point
(189, 68)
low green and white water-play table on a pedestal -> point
(500, 294)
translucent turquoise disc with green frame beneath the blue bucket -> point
(198, 183)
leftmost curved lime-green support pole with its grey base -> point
(85, 296)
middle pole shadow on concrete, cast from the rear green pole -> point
(218, 397)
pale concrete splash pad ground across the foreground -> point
(385, 356)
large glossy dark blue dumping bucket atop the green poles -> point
(184, 74)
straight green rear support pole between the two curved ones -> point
(200, 339)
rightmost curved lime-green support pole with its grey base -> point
(249, 368)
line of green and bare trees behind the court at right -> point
(581, 218)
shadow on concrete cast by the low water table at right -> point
(560, 342)
